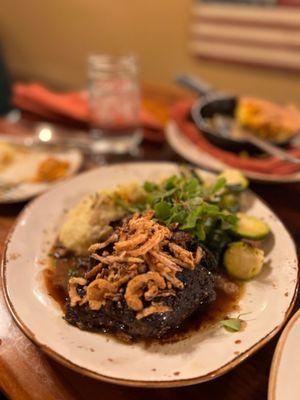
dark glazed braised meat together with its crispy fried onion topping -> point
(142, 282)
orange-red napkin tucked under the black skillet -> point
(180, 113)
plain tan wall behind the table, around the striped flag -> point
(49, 41)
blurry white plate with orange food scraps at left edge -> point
(17, 174)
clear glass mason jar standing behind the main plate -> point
(114, 99)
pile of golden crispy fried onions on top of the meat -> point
(138, 263)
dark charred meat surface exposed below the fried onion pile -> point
(118, 318)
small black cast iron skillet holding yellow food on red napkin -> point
(213, 104)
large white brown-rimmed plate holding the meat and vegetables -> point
(267, 300)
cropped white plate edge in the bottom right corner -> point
(284, 381)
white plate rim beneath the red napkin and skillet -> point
(186, 149)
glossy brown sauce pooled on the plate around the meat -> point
(56, 279)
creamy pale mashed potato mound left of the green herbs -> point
(89, 220)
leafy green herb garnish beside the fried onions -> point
(194, 206)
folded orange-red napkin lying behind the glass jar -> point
(35, 99)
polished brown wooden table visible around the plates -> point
(26, 373)
